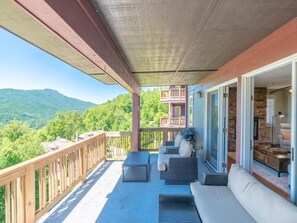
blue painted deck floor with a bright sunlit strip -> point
(105, 198)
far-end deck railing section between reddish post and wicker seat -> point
(152, 138)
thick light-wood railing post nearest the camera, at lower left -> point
(30, 194)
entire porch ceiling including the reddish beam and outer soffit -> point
(163, 42)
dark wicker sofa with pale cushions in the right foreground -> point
(233, 198)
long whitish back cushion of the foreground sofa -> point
(260, 202)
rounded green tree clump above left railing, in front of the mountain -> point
(65, 125)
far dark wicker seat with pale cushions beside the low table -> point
(178, 164)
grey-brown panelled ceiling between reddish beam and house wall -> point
(180, 42)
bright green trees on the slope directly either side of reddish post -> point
(116, 115)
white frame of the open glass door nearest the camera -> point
(247, 125)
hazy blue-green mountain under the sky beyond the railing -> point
(36, 107)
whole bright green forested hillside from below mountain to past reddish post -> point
(114, 115)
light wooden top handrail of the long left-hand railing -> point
(17, 167)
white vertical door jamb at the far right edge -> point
(293, 174)
